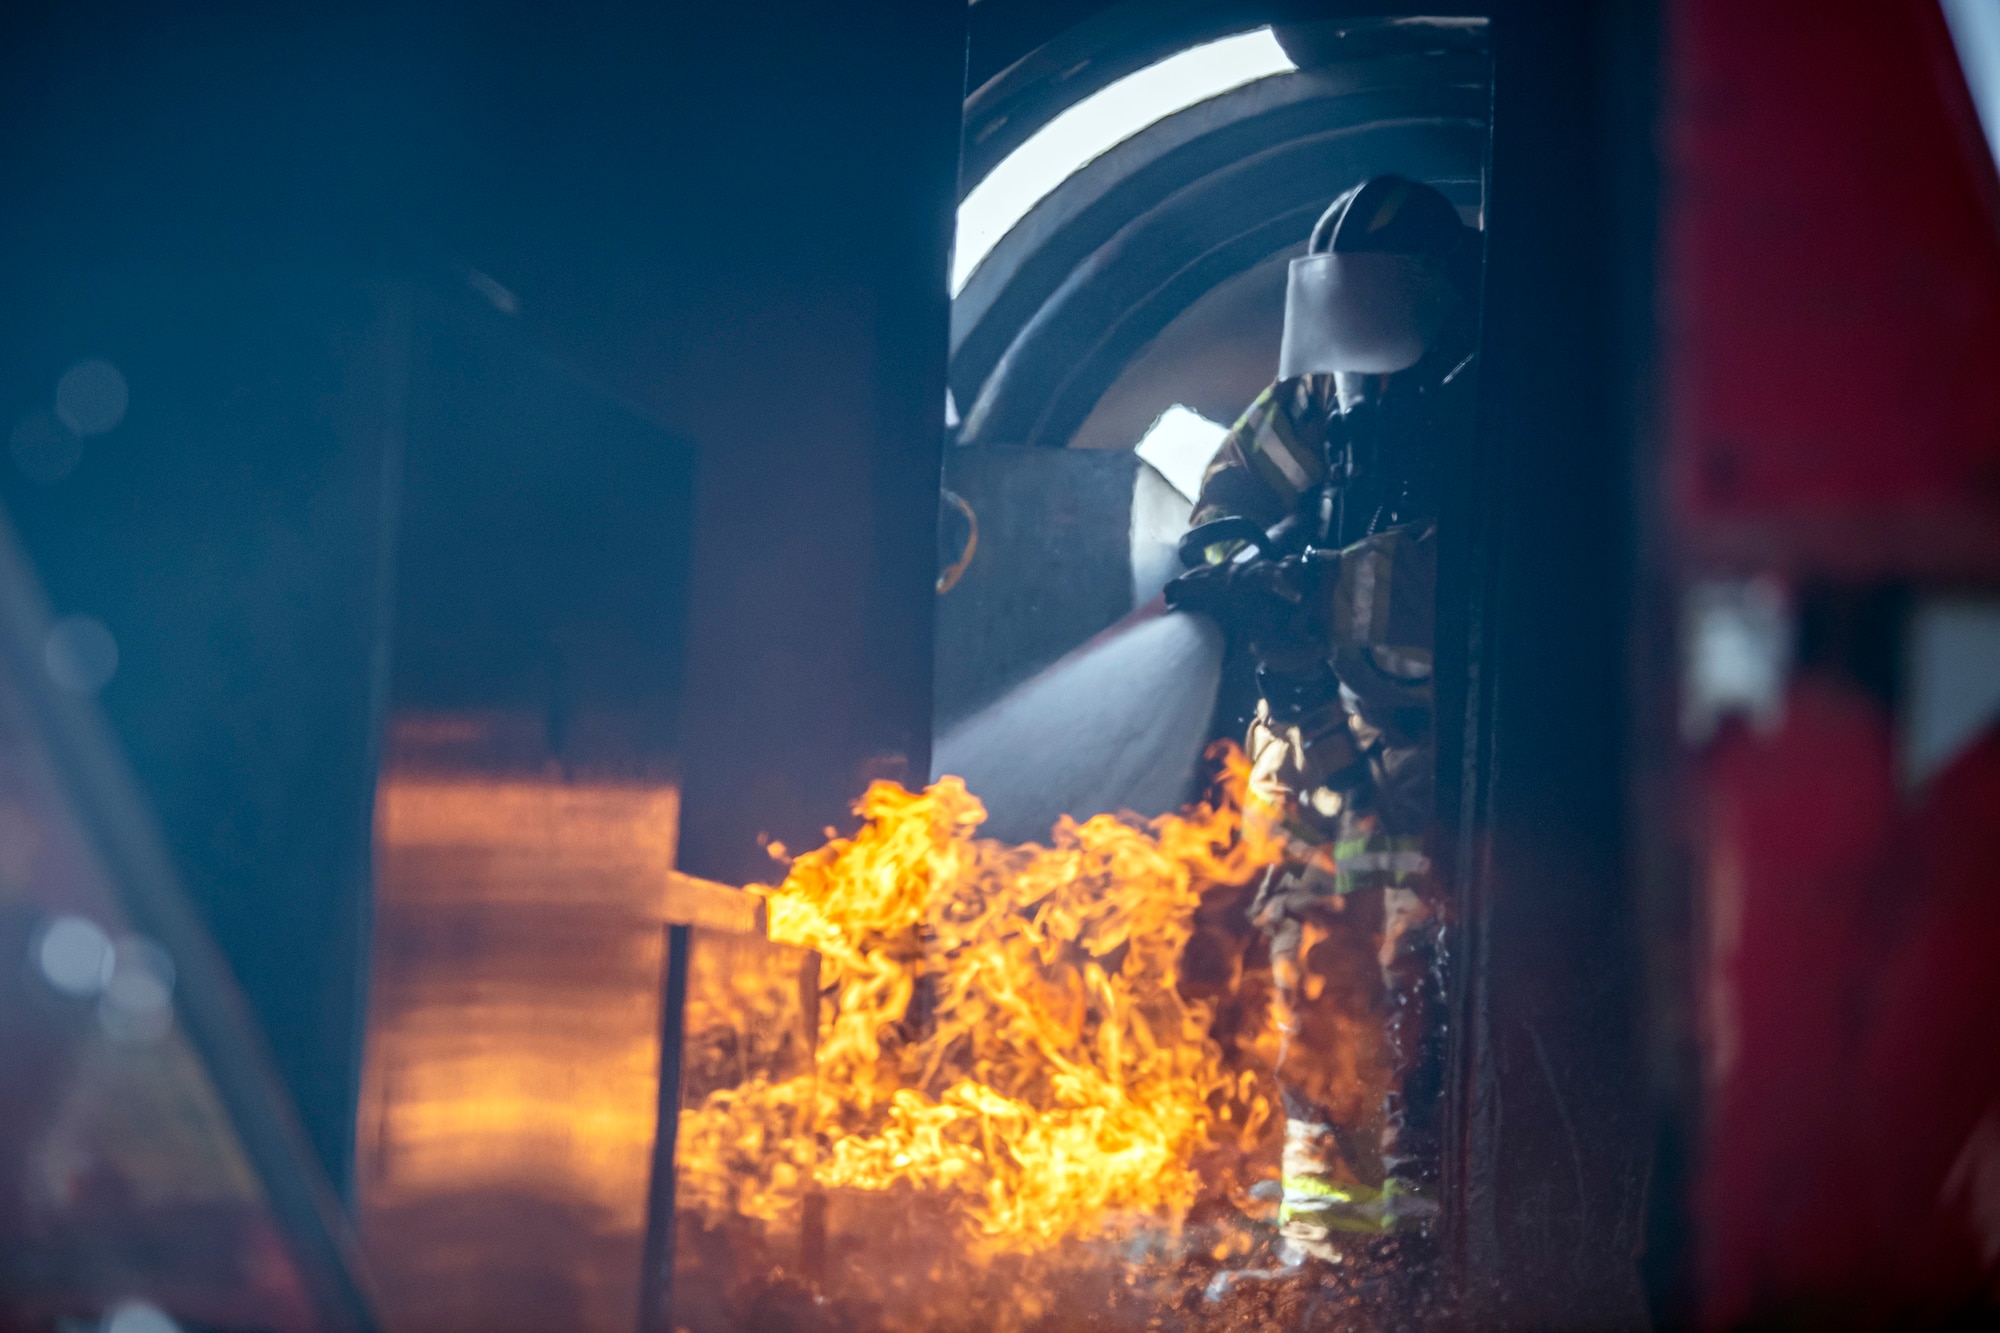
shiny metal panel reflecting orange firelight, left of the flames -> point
(509, 1100)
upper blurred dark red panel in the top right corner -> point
(1833, 289)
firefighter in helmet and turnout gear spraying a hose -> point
(1315, 543)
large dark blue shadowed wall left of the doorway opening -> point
(729, 219)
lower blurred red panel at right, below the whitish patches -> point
(1851, 1012)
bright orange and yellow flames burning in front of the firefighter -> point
(997, 1026)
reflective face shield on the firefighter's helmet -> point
(1363, 313)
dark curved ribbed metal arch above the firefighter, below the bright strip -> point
(1119, 251)
